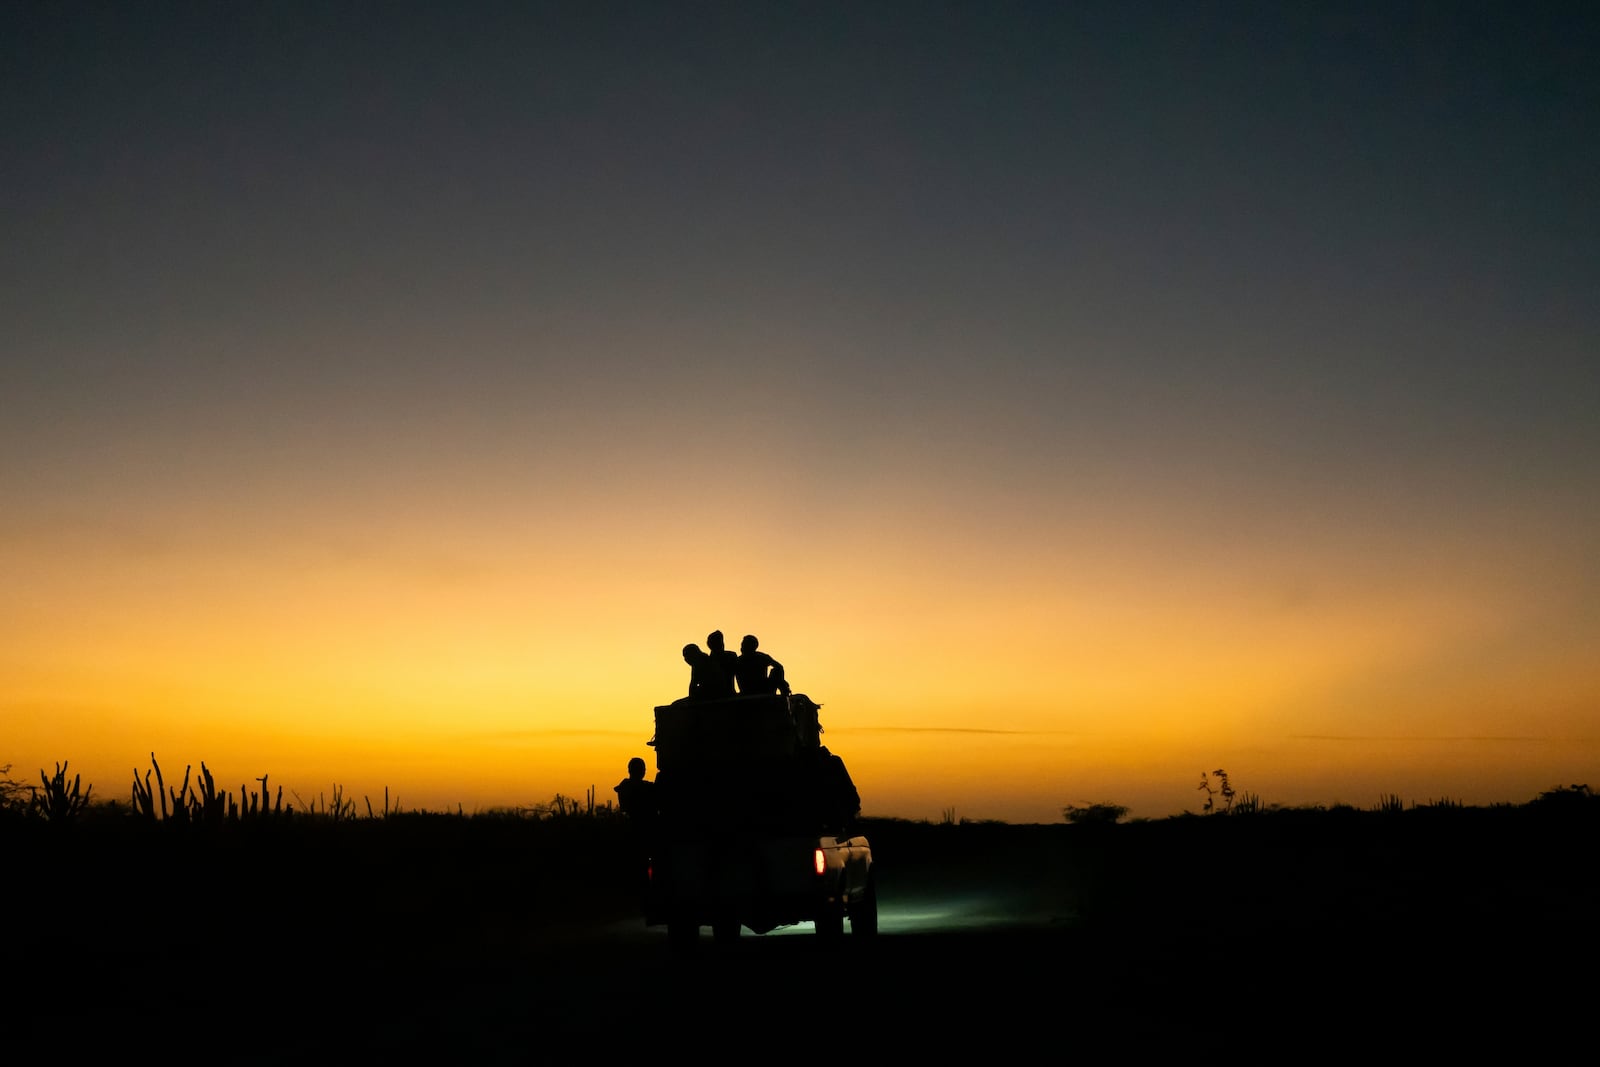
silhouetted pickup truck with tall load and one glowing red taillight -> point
(758, 825)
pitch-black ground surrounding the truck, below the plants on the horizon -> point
(1434, 933)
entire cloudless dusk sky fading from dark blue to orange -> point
(1073, 396)
